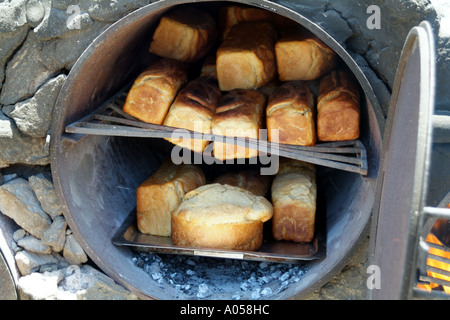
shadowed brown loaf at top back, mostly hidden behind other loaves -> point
(234, 14)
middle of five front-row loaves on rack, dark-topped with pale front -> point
(239, 114)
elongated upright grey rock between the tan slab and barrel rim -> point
(45, 192)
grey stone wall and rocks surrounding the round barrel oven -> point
(40, 40)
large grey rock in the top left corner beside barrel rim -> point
(38, 60)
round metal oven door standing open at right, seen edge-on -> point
(402, 182)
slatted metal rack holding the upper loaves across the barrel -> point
(109, 119)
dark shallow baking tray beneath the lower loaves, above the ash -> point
(271, 250)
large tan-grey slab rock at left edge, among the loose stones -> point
(18, 202)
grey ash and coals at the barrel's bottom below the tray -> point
(215, 278)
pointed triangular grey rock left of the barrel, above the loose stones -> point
(33, 117)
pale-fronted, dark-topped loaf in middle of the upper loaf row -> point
(246, 57)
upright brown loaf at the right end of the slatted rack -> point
(338, 111)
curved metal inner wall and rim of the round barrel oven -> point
(96, 176)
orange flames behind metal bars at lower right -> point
(437, 264)
